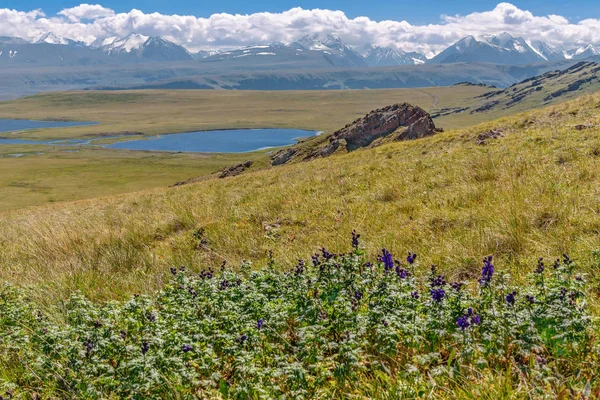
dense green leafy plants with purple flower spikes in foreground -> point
(334, 327)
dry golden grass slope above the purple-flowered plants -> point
(532, 191)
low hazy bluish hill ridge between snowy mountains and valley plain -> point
(408, 76)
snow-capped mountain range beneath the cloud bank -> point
(311, 51)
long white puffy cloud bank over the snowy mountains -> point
(88, 22)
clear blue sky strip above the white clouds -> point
(415, 12)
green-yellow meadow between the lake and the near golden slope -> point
(51, 174)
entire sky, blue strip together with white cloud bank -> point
(430, 26)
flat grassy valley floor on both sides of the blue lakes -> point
(58, 175)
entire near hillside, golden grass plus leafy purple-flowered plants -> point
(518, 188)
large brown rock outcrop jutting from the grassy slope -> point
(392, 123)
